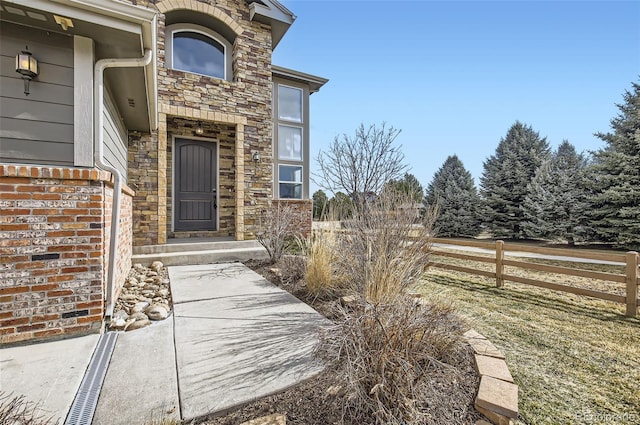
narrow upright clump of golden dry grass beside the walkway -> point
(321, 273)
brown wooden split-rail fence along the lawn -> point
(629, 260)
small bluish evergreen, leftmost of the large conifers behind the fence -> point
(453, 191)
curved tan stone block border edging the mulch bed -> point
(497, 397)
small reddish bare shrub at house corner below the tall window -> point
(276, 229)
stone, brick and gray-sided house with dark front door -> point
(147, 121)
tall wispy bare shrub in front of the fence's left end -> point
(386, 248)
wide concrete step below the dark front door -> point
(186, 254)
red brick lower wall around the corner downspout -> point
(53, 250)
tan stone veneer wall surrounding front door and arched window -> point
(244, 103)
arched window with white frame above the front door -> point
(199, 50)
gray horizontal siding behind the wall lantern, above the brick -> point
(37, 128)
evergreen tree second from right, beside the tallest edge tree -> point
(556, 206)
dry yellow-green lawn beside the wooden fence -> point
(576, 359)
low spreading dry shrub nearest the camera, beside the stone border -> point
(391, 355)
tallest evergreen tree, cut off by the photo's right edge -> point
(616, 210)
